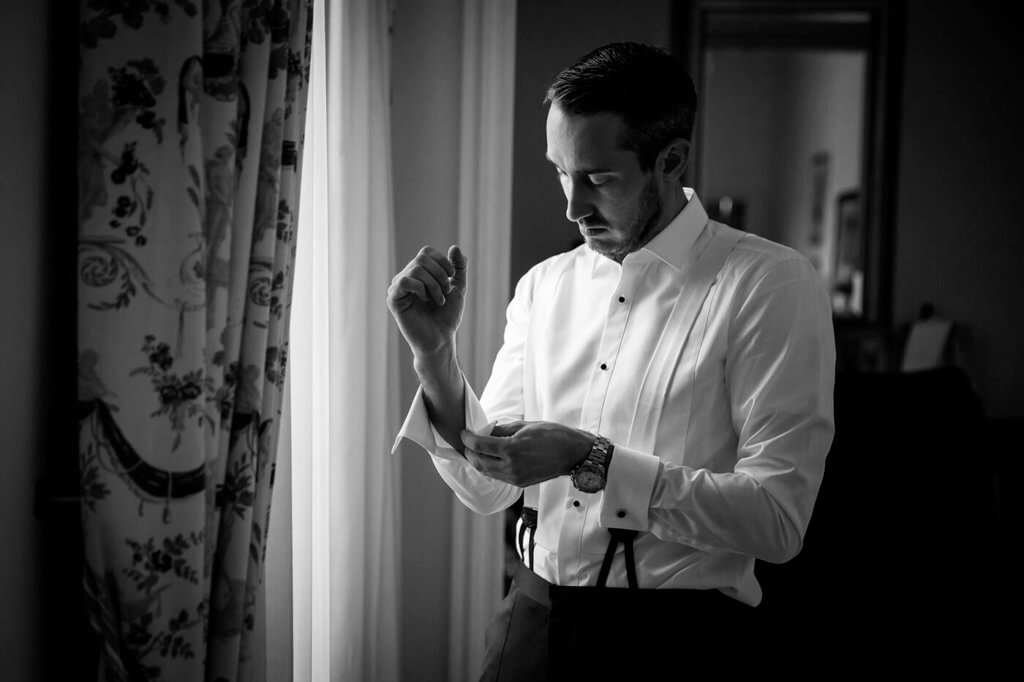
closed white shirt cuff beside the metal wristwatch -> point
(627, 494)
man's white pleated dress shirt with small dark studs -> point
(718, 400)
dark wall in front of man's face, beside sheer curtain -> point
(551, 35)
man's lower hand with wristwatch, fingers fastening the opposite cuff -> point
(528, 453)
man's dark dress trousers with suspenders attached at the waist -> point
(548, 632)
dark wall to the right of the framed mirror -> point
(960, 237)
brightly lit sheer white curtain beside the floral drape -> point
(345, 389)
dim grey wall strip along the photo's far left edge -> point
(23, 148)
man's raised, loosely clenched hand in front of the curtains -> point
(428, 299)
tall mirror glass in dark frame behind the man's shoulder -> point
(783, 140)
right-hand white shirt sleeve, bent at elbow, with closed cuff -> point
(780, 374)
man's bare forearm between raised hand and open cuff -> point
(444, 394)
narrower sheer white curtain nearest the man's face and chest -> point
(485, 234)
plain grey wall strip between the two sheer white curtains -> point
(426, 67)
